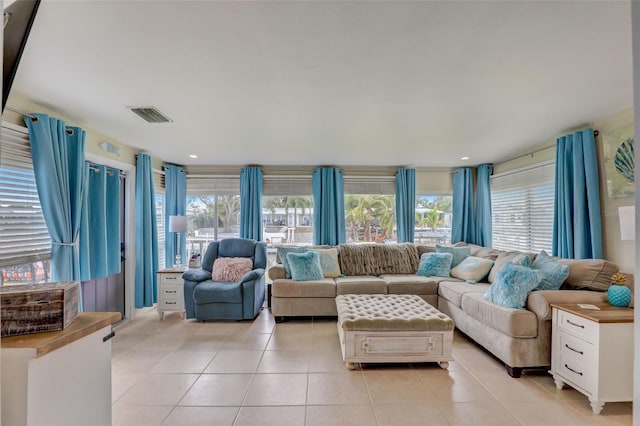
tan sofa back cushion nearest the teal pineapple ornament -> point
(591, 274)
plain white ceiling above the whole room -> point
(331, 83)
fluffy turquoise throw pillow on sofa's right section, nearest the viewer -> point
(512, 285)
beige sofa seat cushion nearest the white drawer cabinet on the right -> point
(518, 323)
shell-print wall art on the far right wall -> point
(619, 165)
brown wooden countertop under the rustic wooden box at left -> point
(83, 325)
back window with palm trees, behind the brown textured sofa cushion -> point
(370, 207)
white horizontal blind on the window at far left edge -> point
(24, 237)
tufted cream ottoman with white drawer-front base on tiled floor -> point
(392, 328)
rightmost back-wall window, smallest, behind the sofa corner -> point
(433, 219)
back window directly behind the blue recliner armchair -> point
(213, 208)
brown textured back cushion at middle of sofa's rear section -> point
(378, 259)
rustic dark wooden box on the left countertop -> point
(36, 308)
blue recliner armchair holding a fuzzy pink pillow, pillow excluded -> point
(206, 299)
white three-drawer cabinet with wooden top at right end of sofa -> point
(592, 351)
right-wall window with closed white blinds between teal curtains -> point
(522, 208)
